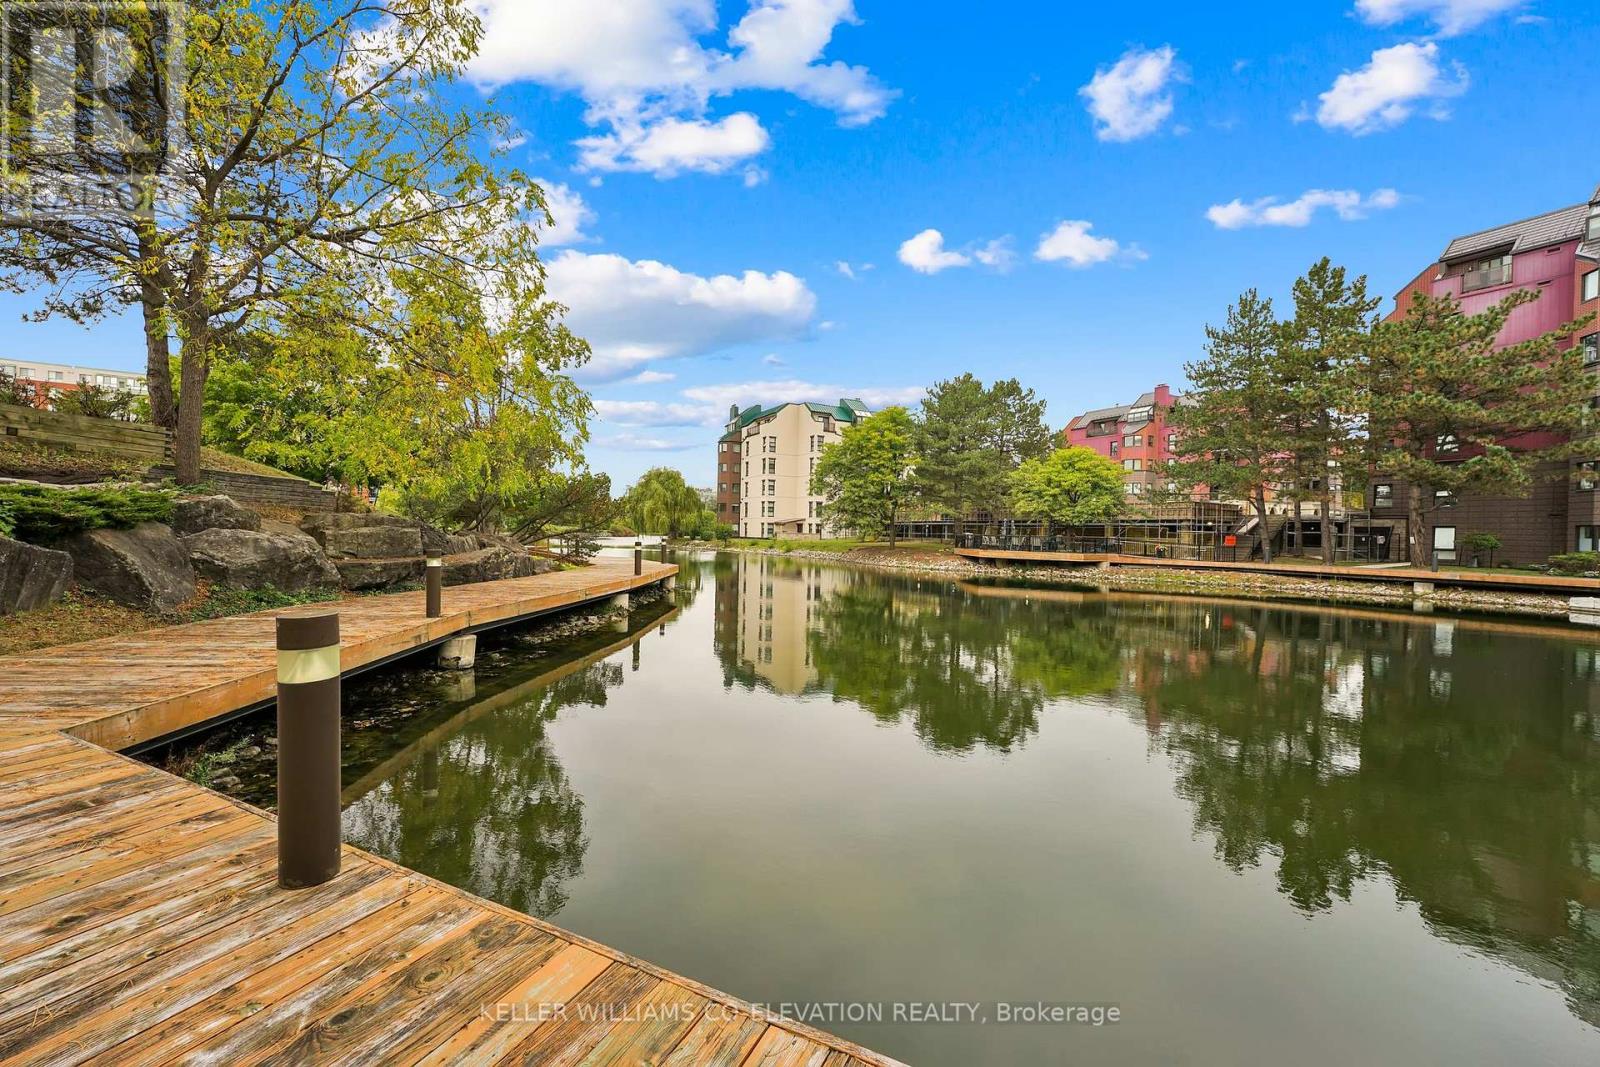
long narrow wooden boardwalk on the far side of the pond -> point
(1545, 585)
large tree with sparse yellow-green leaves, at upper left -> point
(321, 156)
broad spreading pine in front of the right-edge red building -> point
(1454, 412)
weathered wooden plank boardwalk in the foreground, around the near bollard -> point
(142, 921)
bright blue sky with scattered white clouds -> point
(745, 191)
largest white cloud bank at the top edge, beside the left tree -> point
(641, 65)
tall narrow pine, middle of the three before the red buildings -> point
(1322, 345)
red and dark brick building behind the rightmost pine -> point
(1559, 255)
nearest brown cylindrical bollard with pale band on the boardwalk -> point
(308, 749)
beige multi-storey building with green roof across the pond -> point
(766, 462)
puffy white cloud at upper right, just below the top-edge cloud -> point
(1390, 90)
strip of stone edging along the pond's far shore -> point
(1178, 581)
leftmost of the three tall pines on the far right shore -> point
(1233, 434)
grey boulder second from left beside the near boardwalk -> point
(145, 567)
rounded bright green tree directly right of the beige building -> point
(868, 478)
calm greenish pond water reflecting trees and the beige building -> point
(1265, 834)
